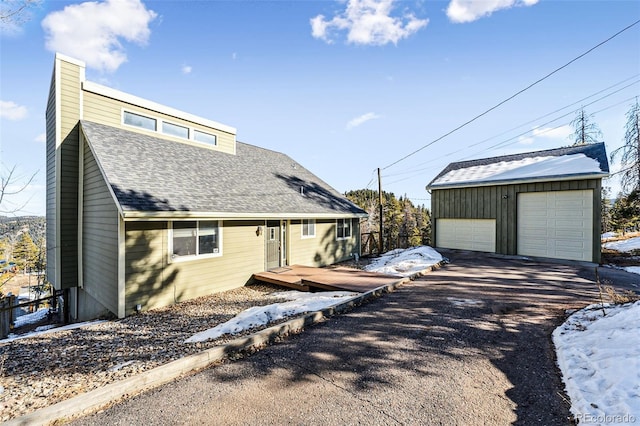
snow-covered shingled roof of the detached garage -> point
(574, 162)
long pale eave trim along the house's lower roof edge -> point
(182, 215)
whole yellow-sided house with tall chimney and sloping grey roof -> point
(148, 206)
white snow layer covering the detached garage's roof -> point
(526, 168)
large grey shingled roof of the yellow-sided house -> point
(154, 176)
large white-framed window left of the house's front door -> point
(195, 238)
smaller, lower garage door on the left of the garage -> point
(466, 234)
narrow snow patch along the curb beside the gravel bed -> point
(297, 303)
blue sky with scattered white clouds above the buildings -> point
(343, 87)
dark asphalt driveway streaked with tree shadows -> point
(467, 344)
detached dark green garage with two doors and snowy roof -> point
(541, 204)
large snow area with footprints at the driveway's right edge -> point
(599, 356)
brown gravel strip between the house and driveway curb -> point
(39, 371)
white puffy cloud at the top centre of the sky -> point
(367, 22)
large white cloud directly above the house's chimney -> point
(92, 31)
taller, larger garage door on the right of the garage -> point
(557, 224)
